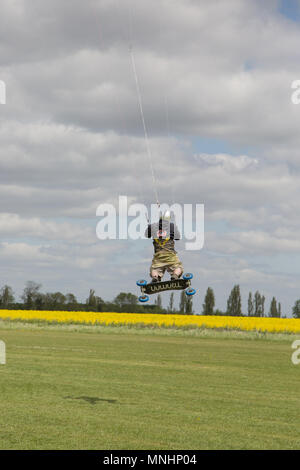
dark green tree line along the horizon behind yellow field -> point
(33, 299)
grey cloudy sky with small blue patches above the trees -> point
(215, 80)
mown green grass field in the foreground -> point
(112, 388)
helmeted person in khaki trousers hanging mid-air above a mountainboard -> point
(165, 258)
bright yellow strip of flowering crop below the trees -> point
(264, 324)
